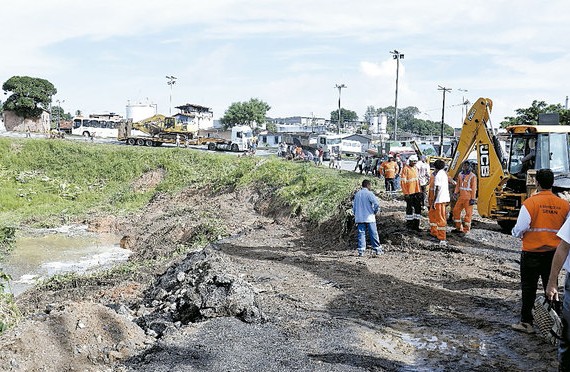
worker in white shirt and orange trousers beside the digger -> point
(441, 198)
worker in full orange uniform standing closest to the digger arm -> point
(465, 194)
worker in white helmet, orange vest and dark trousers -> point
(412, 191)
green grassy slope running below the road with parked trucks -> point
(51, 182)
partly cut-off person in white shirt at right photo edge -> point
(562, 259)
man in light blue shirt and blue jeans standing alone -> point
(365, 206)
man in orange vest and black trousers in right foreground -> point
(540, 218)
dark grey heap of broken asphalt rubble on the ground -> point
(198, 288)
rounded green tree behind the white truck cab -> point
(252, 113)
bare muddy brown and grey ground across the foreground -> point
(276, 295)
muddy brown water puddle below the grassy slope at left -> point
(42, 253)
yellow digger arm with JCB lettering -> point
(475, 135)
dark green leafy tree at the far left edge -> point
(29, 96)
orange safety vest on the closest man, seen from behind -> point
(547, 214)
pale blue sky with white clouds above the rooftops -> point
(101, 55)
